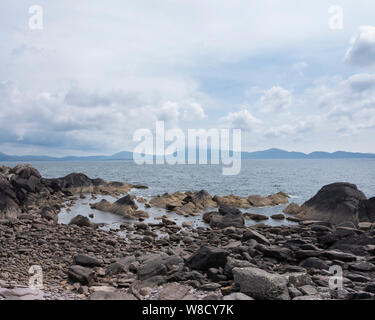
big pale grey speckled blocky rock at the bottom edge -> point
(260, 284)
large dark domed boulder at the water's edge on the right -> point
(335, 203)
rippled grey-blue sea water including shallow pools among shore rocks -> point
(299, 178)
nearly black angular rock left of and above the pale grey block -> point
(208, 257)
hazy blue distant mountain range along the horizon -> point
(266, 154)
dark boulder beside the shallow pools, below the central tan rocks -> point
(226, 217)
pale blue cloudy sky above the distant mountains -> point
(289, 74)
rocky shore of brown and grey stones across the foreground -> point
(146, 261)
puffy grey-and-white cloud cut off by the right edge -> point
(362, 50)
